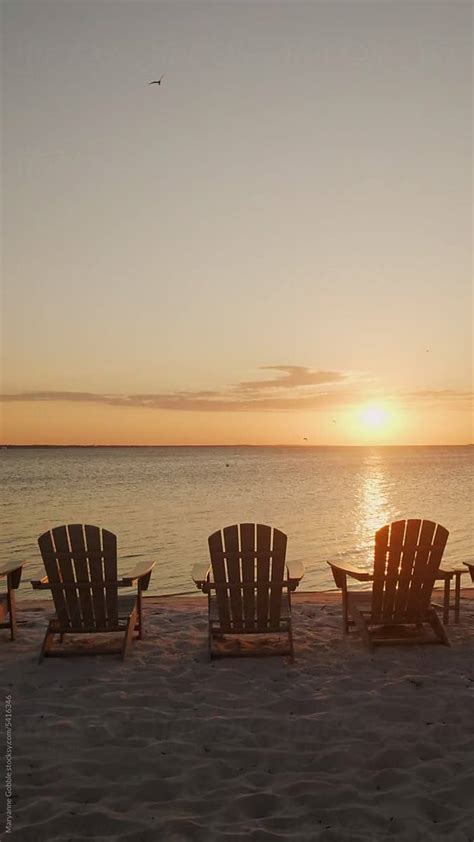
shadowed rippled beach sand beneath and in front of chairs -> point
(340, 745)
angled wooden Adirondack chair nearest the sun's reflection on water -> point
(406, 563)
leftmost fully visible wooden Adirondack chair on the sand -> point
(81, 567)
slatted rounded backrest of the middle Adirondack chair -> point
(248, 570)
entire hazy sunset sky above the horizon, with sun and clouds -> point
(273, 246)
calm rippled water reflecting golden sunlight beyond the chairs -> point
(163, 502)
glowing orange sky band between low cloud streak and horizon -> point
(376, 421)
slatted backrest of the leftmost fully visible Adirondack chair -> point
(81, 565)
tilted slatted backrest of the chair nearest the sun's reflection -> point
(406, 560)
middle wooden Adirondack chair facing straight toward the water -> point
(248, 584)
